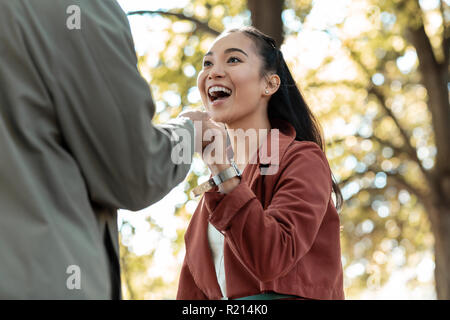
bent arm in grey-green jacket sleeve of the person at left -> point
(105, 109)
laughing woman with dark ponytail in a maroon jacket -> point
(257, 235)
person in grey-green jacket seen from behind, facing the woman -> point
(76, 143)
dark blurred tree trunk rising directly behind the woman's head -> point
(266, 16)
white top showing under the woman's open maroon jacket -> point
(216, 242)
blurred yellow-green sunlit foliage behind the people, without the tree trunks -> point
(385, 225)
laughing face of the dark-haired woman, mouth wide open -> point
(230, 83)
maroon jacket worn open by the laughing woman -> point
(281, 230)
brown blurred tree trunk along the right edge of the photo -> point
(434, 77)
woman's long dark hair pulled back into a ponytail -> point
(287, 102)
